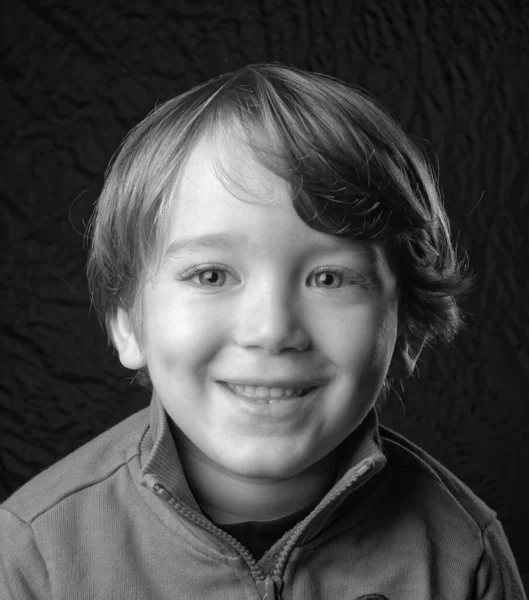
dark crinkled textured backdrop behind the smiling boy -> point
(76, 76)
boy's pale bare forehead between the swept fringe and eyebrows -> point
(222, 187)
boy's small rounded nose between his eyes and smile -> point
(271, 320)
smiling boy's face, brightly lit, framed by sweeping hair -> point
(249, 295)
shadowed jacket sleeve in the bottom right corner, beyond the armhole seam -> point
(497, 576)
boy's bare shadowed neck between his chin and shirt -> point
(228, 498)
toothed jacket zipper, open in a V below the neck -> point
(268, 586)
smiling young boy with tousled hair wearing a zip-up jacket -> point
(269, 253)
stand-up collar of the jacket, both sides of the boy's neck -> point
(160, 461)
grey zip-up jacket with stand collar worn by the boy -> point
(116, 520)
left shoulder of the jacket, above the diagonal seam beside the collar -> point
(89, 465)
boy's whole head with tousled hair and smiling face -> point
(272, 229)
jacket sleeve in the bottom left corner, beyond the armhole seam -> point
(23, 572)
